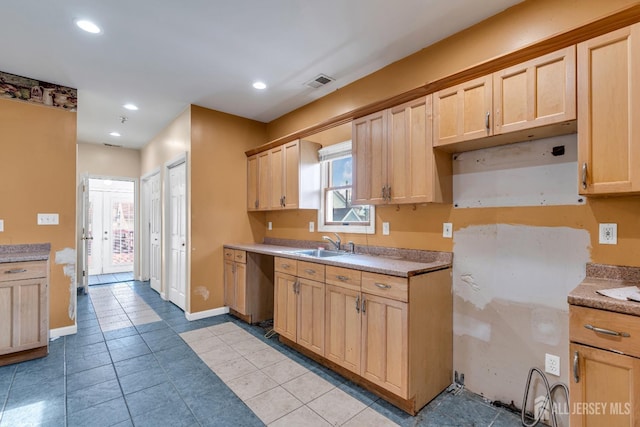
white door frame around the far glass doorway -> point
(84, 214)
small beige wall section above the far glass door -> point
(101, 160)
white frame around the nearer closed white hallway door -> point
(166, 239)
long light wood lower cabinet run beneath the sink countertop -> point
(391, 335)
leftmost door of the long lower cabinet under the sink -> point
(285, 306)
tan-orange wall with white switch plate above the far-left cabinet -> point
(38, 175)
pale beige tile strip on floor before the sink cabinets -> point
(280, 391)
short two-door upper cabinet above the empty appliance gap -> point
(508, 105)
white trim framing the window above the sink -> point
(333, 152)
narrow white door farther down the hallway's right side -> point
(155, 233)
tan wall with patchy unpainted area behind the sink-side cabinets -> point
(497, 337)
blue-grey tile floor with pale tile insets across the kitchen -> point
(211, 372)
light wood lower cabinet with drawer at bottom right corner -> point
(604, 382)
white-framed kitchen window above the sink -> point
(336, 212)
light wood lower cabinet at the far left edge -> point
(24, 311)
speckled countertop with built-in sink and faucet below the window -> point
(400, 262)
